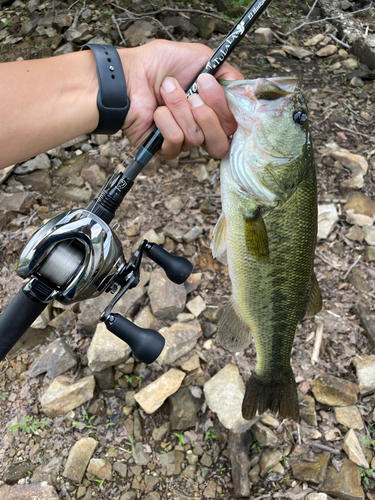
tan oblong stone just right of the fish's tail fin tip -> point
(333, 391)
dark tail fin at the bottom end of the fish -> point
(279, 396)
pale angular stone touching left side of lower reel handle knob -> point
(106, 350)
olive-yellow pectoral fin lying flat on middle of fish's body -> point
(256, 236)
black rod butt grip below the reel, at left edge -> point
(16, 318)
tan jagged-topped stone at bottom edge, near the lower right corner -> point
(345, 484)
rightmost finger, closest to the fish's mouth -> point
(214, 96)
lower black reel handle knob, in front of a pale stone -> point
(145, 343)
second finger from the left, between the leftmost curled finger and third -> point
(176, 101)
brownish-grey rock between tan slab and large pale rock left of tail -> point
(183, 409)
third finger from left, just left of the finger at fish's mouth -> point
(215, 139)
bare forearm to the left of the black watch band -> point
(44, 103)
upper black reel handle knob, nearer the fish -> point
(177, 269)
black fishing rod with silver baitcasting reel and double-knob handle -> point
(76, 255)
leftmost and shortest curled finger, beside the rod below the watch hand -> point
(171, 131)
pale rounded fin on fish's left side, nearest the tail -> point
(233, 333)
